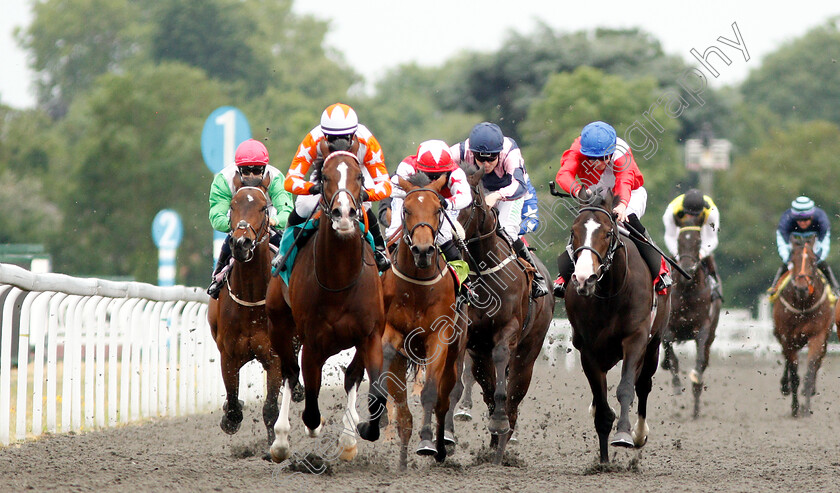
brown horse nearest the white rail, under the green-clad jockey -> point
(237, 319)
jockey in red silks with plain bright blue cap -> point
(598, 157)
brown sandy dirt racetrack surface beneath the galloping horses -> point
(744, 441)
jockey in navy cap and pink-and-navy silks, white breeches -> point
(504, 180)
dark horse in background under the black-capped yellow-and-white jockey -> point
(694, 315)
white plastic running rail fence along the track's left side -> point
(93, 353)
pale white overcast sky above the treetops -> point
(376, 35)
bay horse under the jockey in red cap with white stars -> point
(423, 326)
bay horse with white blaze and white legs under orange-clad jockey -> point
(333, 302)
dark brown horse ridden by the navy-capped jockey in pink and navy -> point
(506, 327)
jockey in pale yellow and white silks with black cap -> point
(693, 204)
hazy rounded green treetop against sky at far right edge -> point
(801, 80)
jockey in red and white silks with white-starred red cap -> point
(433, 159)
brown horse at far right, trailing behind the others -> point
(802, 315)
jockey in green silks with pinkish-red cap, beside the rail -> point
(251, 161)
